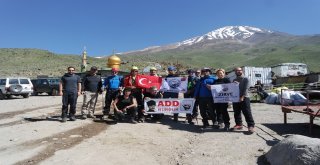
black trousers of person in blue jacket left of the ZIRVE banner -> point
(207, 110)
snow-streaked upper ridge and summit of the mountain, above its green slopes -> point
(228, 33)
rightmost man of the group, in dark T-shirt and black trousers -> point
(244, 102)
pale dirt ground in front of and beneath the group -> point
(31, 133)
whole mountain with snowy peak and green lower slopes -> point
(234, 46)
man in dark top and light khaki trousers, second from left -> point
(91, 88)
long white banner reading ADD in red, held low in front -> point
(153, 106)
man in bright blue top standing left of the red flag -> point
(113, 85)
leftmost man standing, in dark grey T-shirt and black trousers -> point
(69, 89)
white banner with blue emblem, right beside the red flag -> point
(174, 84)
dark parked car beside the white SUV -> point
(46, 85)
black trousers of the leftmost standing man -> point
(69, 98)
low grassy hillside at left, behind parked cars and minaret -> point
(33, 62)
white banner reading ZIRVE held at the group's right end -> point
(223, 93)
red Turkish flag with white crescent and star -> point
(144, 81)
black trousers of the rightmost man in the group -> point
(244, 107)
